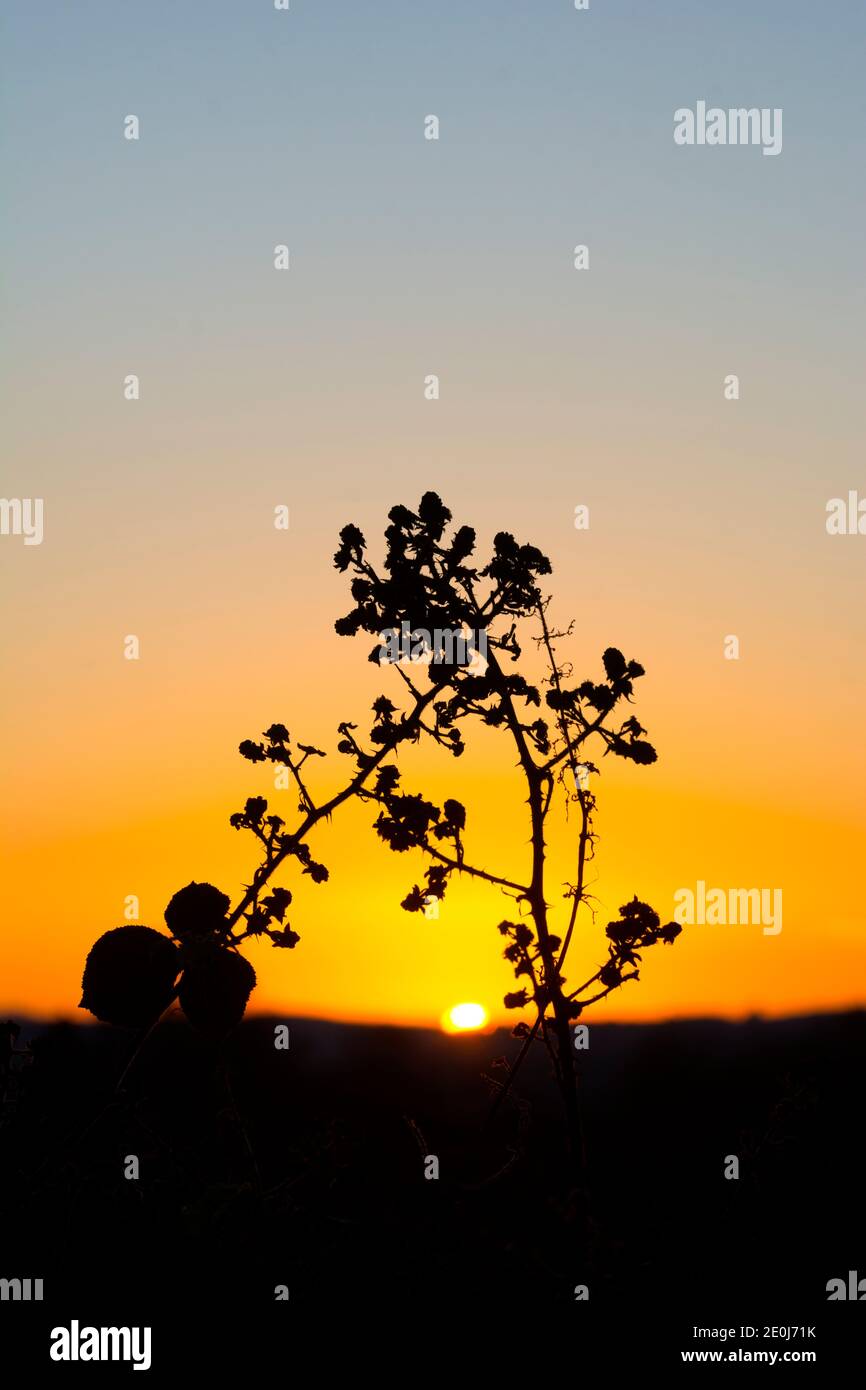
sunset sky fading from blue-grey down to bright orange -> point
(305, 389)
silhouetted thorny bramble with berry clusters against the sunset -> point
(427, 584)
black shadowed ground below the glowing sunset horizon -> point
(307, 1170)
